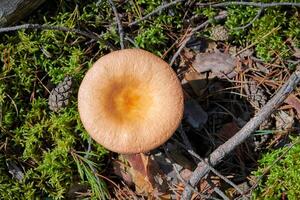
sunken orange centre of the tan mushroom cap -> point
(127, 101)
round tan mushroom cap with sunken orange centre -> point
(130, 101)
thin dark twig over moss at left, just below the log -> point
(49, 27)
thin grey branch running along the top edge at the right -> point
(262, 5)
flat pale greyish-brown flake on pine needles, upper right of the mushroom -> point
(219, 64)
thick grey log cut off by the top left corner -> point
(12, 11)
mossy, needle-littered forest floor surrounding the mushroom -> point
(231, 60)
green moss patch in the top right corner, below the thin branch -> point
(270, 32)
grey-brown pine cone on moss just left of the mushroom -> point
(59, 96)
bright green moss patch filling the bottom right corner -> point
(283, 177)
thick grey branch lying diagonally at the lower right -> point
(217, 155)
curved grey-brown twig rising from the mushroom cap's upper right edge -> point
(194, 30)
